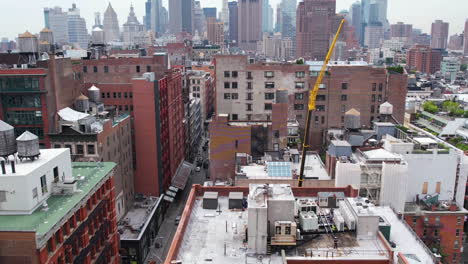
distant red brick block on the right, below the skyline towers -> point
(424, 59)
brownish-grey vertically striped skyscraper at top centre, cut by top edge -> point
(250, 24)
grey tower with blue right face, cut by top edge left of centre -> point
(181, 16)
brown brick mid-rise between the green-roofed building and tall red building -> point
(112, 143)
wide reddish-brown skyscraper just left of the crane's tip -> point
(315, 26)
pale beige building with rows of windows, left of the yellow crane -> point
(246, 91)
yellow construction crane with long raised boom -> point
(312, 101)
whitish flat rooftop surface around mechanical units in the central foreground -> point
(218, 237)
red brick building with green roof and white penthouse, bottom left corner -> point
(44, 225)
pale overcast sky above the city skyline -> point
(18, 16)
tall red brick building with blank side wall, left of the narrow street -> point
(159, 131)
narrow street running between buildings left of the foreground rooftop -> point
(169, 227)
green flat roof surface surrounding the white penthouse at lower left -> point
(88, 174)
